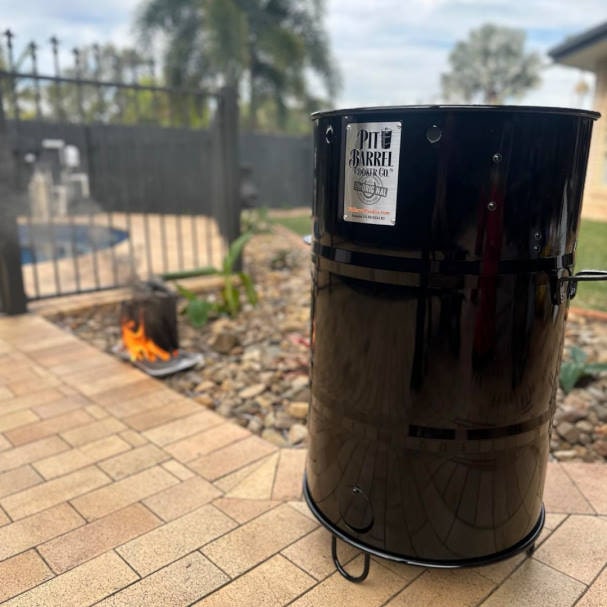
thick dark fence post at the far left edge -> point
(12, 292)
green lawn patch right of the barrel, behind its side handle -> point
(591, 255)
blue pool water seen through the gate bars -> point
(43, 242)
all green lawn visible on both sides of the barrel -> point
(591, 254)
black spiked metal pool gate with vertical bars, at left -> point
(107, 180)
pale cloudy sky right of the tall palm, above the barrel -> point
(393, 51)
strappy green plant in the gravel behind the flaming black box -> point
(198, 309)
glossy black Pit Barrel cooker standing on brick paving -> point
(443, 266)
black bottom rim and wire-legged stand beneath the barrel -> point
(526, 544)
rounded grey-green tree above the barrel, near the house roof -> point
(491, 65)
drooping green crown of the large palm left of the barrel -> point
(267, 44)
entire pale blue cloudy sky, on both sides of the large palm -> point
(390, 52)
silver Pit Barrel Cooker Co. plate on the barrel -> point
(371, 172)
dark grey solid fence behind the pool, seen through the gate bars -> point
(130, 167)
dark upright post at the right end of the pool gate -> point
(226, 195)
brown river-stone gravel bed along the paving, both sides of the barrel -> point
(255, 366)
